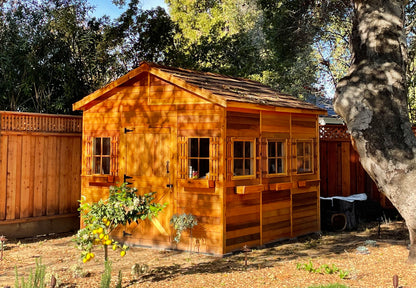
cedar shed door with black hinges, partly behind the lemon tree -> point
(147, 154)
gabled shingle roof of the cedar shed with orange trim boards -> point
(220, 89)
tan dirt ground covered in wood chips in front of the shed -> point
(373, 264)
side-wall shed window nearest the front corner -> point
(243, 158)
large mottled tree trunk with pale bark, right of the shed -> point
(372, 100)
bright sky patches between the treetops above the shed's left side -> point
(106, 7)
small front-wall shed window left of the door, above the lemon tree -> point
(101, 155)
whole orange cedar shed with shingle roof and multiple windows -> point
(238, 155)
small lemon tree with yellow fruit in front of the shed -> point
(121, 207)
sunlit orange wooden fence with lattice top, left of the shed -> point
(40, 167)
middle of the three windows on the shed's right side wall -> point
(276, 157)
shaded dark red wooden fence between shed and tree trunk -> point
(341, 171)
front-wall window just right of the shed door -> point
(198, 158)
